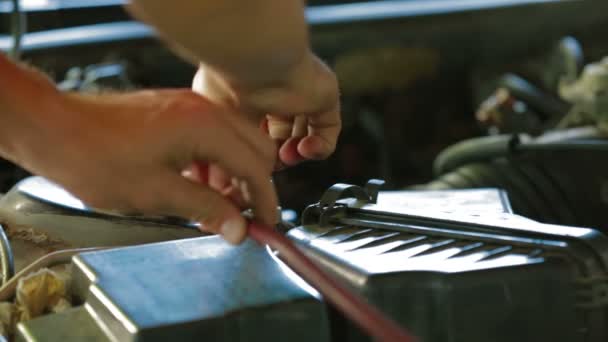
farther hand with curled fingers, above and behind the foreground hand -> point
(301, 113)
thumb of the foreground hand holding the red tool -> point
(215, 212)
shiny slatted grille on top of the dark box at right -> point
(380, 251)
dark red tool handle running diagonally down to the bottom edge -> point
(374, 322)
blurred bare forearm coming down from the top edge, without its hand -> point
(254, 42)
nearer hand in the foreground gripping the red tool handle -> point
(127, 152)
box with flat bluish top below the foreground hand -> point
(185, 290)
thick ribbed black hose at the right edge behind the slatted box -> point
(558, 177)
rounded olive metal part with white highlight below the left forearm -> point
(36, 203)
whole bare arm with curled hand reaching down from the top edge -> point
(255, 58)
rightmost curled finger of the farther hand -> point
(323, 131)
